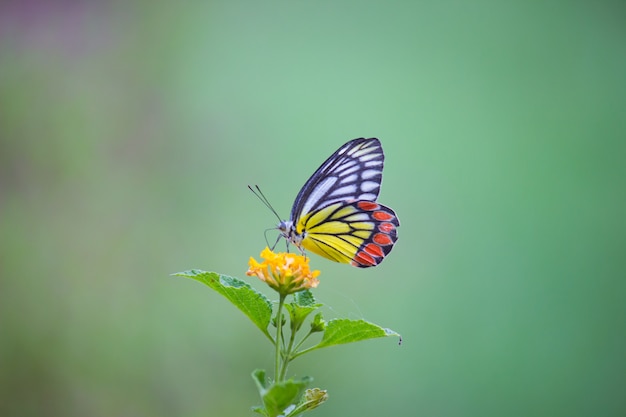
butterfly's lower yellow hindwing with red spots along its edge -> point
(360, 232)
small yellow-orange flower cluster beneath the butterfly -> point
(285, 272)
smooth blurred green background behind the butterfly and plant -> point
(128, 134)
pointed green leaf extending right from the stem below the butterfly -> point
(341, 331)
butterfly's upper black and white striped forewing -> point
(354, 172)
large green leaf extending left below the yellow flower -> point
(251, 302)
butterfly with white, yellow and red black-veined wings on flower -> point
(336, 215)
